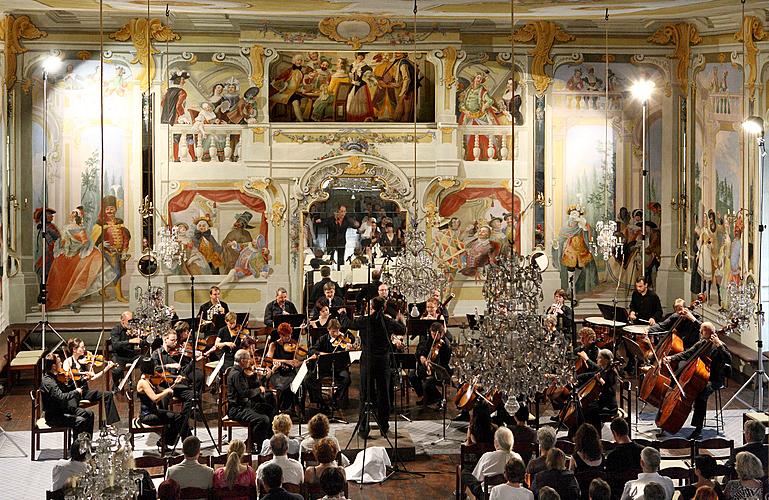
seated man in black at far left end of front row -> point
(60, 401)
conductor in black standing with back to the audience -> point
(375, 330)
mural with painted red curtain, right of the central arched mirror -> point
(477, 224)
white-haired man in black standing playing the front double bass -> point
(719, 356)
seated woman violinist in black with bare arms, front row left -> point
(152, 414)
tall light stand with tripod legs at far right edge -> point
(759, 376)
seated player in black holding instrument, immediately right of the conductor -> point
(432, 350)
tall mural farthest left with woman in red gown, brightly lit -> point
(80, 216)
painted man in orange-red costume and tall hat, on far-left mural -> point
(116, 238)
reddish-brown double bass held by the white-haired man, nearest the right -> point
(692, 379)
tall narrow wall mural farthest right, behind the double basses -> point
(716, 233)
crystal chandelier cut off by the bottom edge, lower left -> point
(109, 474)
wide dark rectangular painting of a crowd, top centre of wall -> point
(350, 87)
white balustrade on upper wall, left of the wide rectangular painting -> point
(206, 143)
